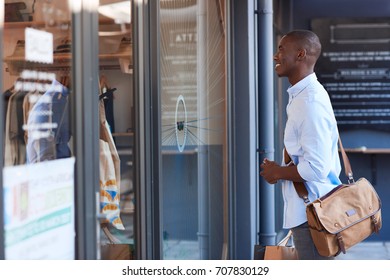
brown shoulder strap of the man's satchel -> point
(300, 186)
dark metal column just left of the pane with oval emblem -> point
(146, 43)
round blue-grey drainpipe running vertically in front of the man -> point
(266, 116)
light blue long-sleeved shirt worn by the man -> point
(311, 139)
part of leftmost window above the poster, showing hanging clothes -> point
(37, 54)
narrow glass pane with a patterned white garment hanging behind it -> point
(117, 123)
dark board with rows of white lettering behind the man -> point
(355, 69)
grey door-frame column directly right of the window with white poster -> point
(85, 123)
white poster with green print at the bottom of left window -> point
(39, 210)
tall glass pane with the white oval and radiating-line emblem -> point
(193, 121)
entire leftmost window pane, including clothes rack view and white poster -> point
(38, 174)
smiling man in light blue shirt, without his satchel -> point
(310, 136)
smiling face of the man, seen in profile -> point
(285, 58)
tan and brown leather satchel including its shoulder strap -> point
(345, 216)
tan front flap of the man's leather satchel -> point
(347, 205)
